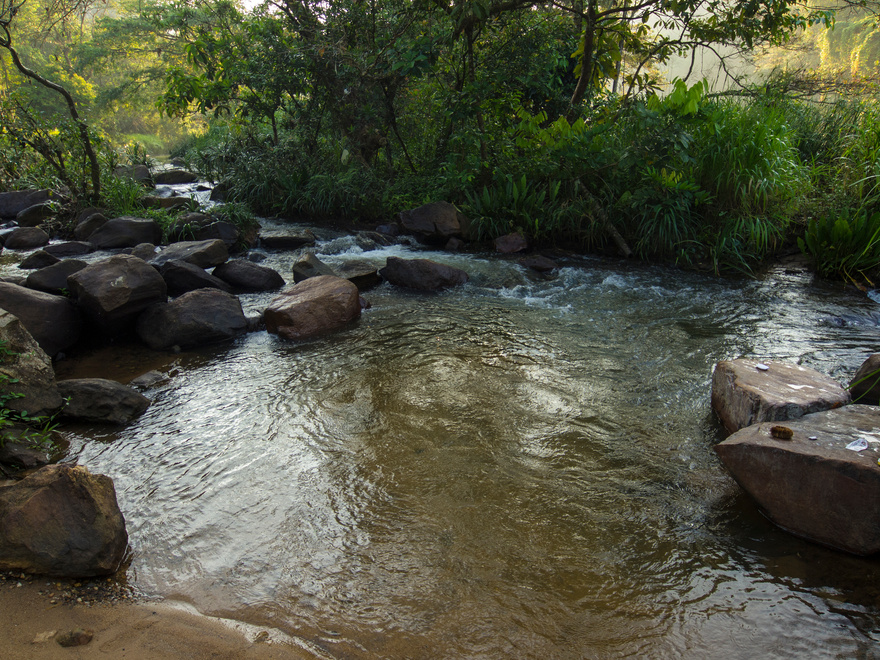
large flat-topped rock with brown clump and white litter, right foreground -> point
(817, 489)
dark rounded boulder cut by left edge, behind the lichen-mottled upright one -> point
(53, 321)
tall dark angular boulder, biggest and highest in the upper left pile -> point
(113, 292)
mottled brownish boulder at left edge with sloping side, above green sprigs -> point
(26, 370)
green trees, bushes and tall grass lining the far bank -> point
(554, 119)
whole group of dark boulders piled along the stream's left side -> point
(61, 520)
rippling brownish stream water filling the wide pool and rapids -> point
(518, 468)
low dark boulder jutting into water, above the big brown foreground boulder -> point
(101, 400)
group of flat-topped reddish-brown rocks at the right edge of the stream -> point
(803, 450)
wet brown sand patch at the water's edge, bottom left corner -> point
(128, 630)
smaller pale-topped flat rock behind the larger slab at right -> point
(743, 393)
